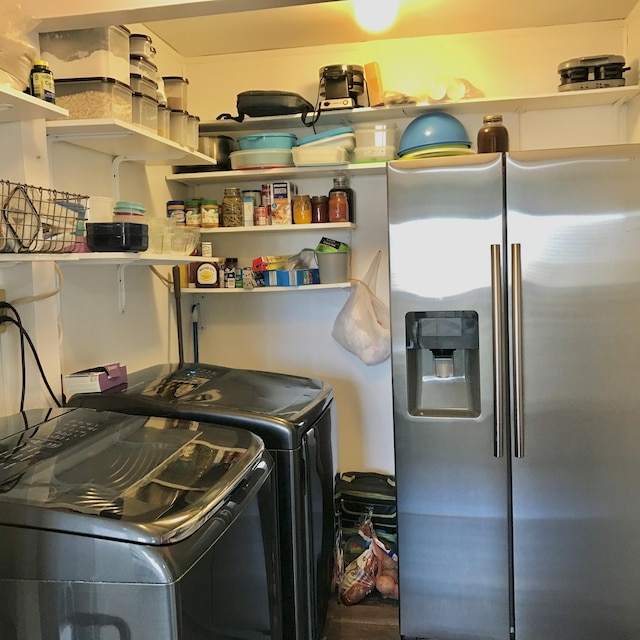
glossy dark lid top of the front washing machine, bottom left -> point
(136, 478)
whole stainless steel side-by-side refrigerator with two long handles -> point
(515, 316)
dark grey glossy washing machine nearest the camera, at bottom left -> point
(122, 527)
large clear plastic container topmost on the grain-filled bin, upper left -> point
(87, 53)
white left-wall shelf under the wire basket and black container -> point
(97, 258)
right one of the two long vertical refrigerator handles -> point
(516, 320)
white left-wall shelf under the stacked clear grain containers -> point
(122, 139)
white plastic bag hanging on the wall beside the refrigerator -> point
(362, 326)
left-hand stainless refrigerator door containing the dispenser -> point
(445, 215)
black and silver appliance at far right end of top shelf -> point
(593, 72)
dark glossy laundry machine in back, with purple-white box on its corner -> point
(295, 417)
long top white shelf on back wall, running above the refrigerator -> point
(559, 100)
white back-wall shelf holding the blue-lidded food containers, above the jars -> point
(253, 175)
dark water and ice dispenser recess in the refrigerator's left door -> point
(443, 376)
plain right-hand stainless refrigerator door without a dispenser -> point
(576, 216)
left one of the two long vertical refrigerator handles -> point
(498, 354)
